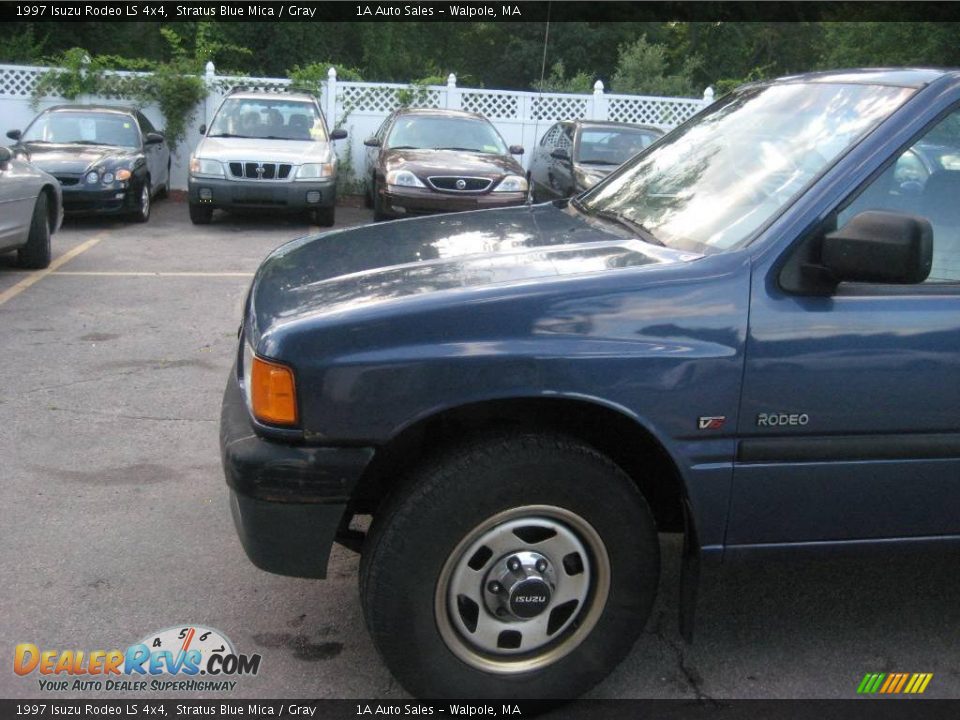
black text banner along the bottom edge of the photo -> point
(864, 709)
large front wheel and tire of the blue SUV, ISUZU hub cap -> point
(516, 566)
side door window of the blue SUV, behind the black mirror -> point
(924, 180)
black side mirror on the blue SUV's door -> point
(879, 247)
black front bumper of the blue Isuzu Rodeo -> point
(287, 500)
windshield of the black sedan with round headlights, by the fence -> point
(86, 128)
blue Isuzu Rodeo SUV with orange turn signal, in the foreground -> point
(749, 333)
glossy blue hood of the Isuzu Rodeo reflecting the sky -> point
(376, 264)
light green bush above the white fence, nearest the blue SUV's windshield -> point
(643, 68)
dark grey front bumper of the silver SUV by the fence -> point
(238, 194)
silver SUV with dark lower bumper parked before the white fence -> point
(265, 151)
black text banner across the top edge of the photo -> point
(474, 11)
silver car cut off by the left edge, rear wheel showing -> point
(31, 210)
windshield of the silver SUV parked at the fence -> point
(268, 118)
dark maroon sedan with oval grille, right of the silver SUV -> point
(428, 161)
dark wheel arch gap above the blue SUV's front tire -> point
(613, 432)
